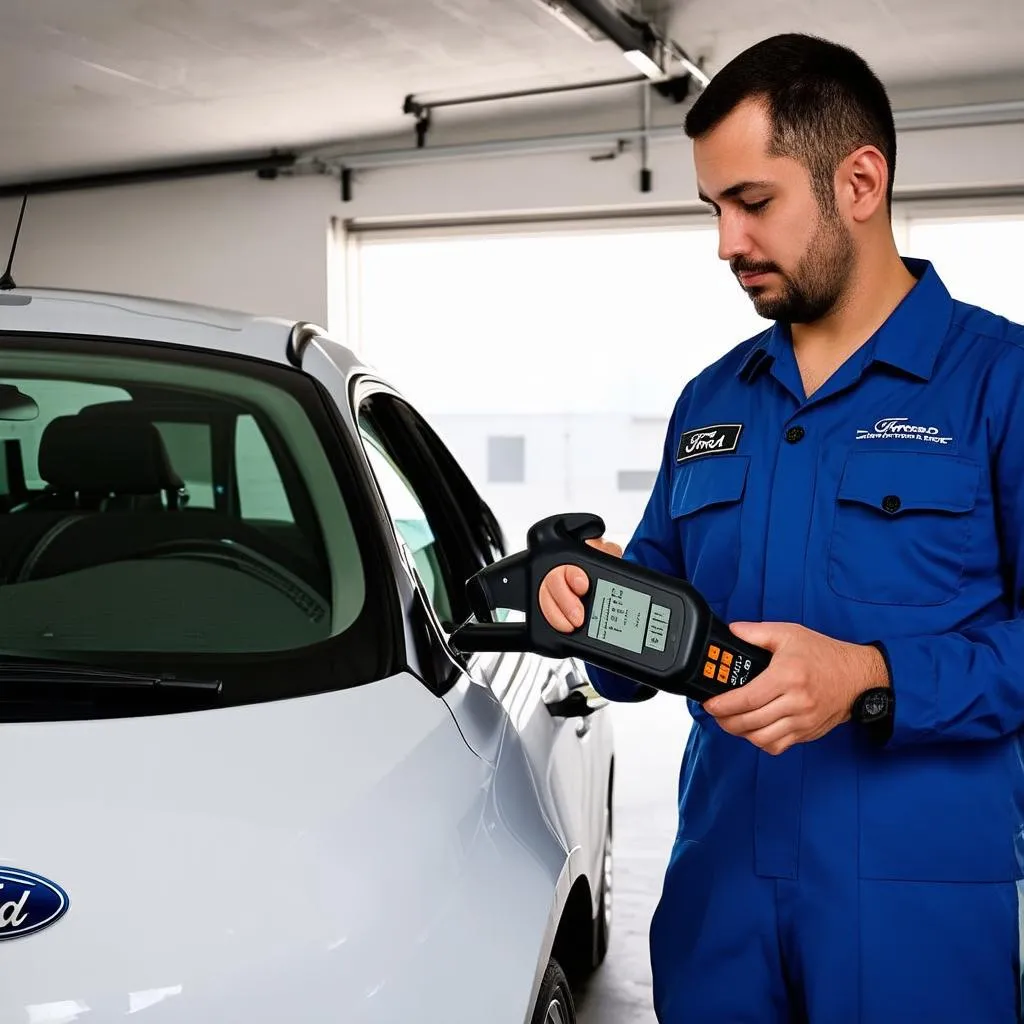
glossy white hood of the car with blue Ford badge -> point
(258, 864)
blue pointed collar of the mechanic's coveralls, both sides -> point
(910, 339)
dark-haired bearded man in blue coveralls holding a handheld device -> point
(847, 490)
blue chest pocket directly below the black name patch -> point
(707, 500)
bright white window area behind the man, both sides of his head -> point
(579, 338)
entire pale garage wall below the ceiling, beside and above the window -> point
(263, 246)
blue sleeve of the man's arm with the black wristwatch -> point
(969, 686)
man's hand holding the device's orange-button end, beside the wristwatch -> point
(806, 692)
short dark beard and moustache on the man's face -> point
(816, 288)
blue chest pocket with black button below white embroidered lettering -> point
(902, 528)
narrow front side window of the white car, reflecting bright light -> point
(410, 520)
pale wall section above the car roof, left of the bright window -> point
(234, 242)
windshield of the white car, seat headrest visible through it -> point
(173, 506)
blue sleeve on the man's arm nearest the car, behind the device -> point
(655, 544)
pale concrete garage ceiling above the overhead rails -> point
(109, 84)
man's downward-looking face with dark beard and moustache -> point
(792, 259)
